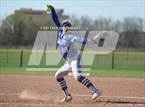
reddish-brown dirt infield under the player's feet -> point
(42, 91)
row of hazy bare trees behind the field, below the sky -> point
(15, 31)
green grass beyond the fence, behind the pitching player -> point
(123, 60)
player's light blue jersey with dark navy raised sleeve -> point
(65, 43)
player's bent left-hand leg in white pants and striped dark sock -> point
(59, 75)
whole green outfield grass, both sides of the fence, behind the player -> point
(130, 64)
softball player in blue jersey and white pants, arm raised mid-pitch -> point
(65, 41)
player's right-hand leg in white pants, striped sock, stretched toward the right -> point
(83, 80)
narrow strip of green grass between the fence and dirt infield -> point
(97, 72)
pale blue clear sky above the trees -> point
(116, 9)
